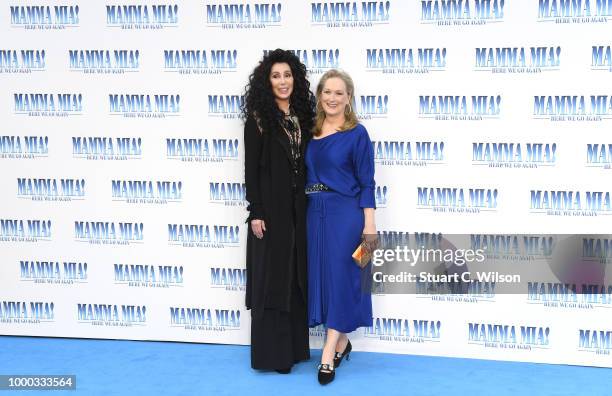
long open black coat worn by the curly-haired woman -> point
(276, 195)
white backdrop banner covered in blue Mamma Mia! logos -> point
(122, 210)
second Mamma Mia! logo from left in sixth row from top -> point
(108, 233)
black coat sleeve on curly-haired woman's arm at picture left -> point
(253, 142)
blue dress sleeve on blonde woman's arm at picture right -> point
(363, 161)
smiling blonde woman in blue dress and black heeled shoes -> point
(340, 190)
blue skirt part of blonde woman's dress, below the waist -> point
(336, 297)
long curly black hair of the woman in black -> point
(259, 98)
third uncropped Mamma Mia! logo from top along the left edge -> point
(50, 189)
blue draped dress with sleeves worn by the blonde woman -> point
(344, 162)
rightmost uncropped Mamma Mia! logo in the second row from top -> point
(518, 59)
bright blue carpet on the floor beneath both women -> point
(106, 367)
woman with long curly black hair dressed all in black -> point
(279, 116)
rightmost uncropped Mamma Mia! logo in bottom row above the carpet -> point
(508, 336)
